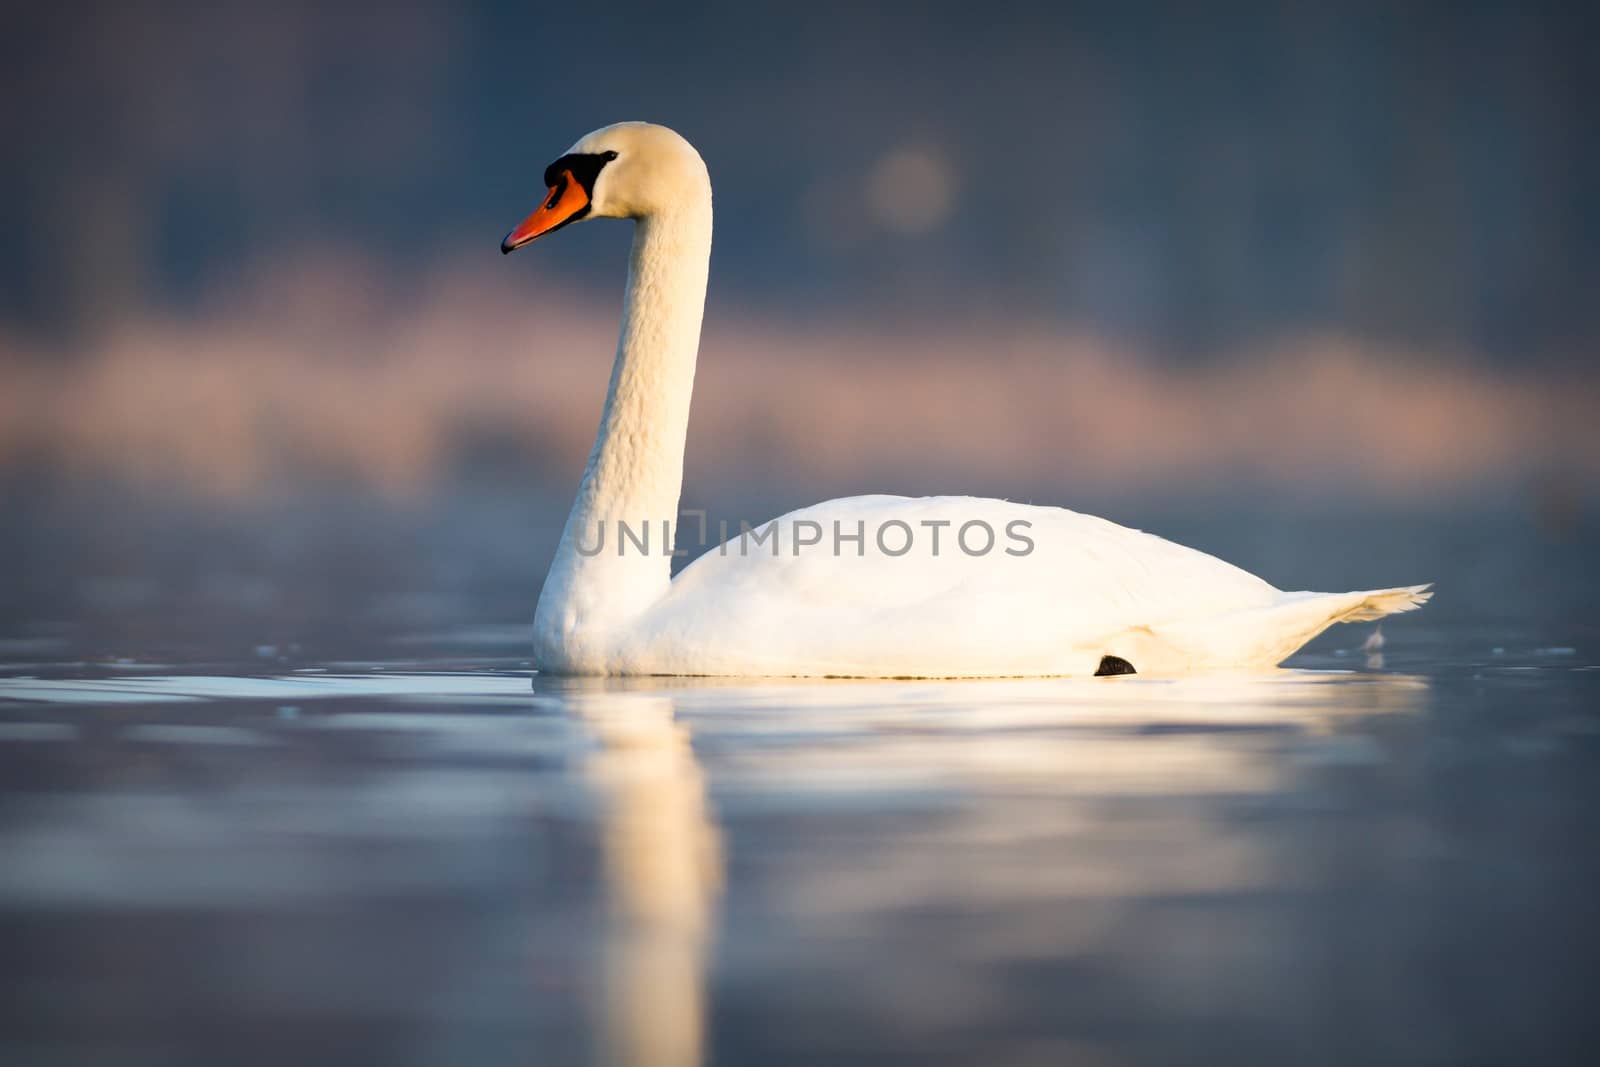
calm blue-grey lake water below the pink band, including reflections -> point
(282, 804)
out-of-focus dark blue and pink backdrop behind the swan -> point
(1190, 268)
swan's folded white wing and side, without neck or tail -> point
(929, 586)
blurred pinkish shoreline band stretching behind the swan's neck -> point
(318, 374)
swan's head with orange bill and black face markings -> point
(626, 172)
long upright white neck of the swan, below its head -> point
(630, 492)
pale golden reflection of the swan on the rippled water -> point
(1057, 807)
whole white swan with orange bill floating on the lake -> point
(868, 586)
